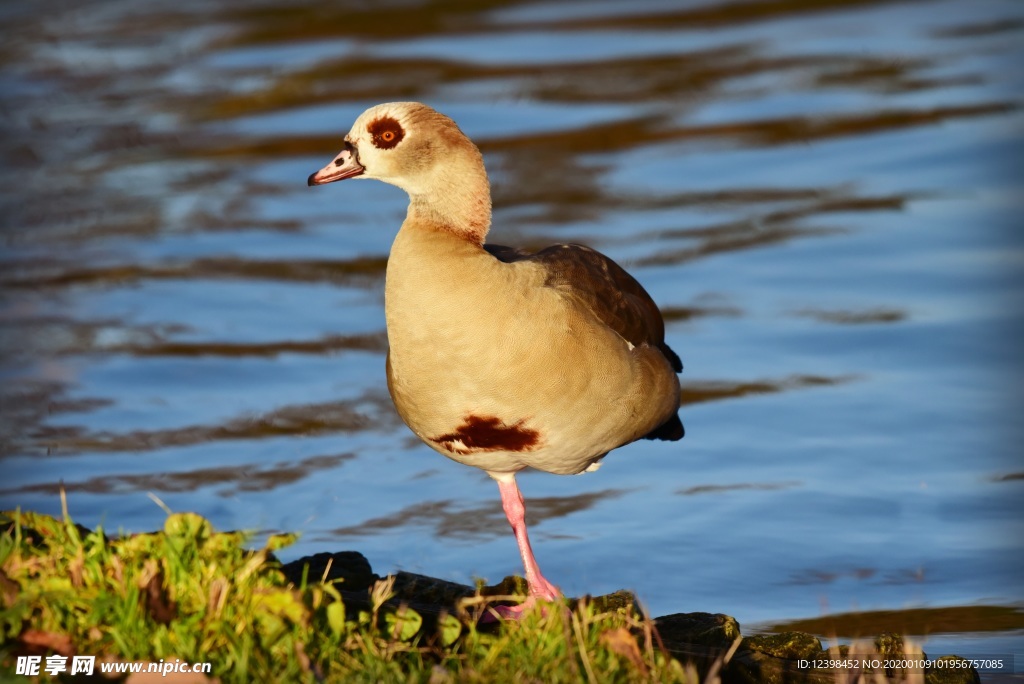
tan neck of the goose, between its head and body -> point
(457, 202)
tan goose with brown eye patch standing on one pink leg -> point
(498, 358)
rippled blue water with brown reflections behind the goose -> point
(825, 198)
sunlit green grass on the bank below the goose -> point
(192, 593)
